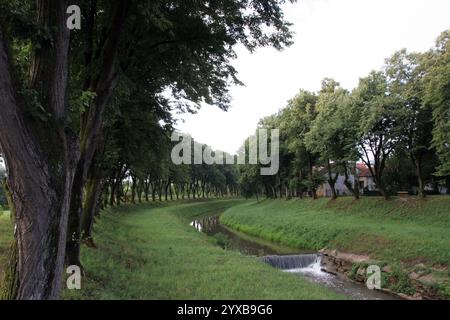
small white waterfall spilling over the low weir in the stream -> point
(299, 261)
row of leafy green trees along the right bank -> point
(396, 121)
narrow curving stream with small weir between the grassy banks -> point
(305, 264)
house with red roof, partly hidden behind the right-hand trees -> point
(365, 182)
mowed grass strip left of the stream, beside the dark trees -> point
(153, 253)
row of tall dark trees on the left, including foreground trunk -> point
(64, 94)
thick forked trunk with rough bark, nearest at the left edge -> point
(41, 161)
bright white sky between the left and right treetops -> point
(342, 39)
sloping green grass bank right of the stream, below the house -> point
(408, 234)
